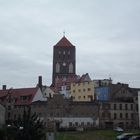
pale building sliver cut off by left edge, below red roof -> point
(2, 115)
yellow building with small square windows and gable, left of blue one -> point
(83, 89)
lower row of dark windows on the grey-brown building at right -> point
(118, 116)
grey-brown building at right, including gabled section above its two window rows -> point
(121, 108)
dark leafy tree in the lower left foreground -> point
(29, 127)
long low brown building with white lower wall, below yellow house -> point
(68, 114)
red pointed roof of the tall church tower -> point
(64, 42)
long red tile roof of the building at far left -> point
(18, 93)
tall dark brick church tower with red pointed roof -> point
(63, 59)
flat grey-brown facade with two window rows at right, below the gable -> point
(122, 114)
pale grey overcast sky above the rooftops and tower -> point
(106, 34)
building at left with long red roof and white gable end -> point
(16, 101)
